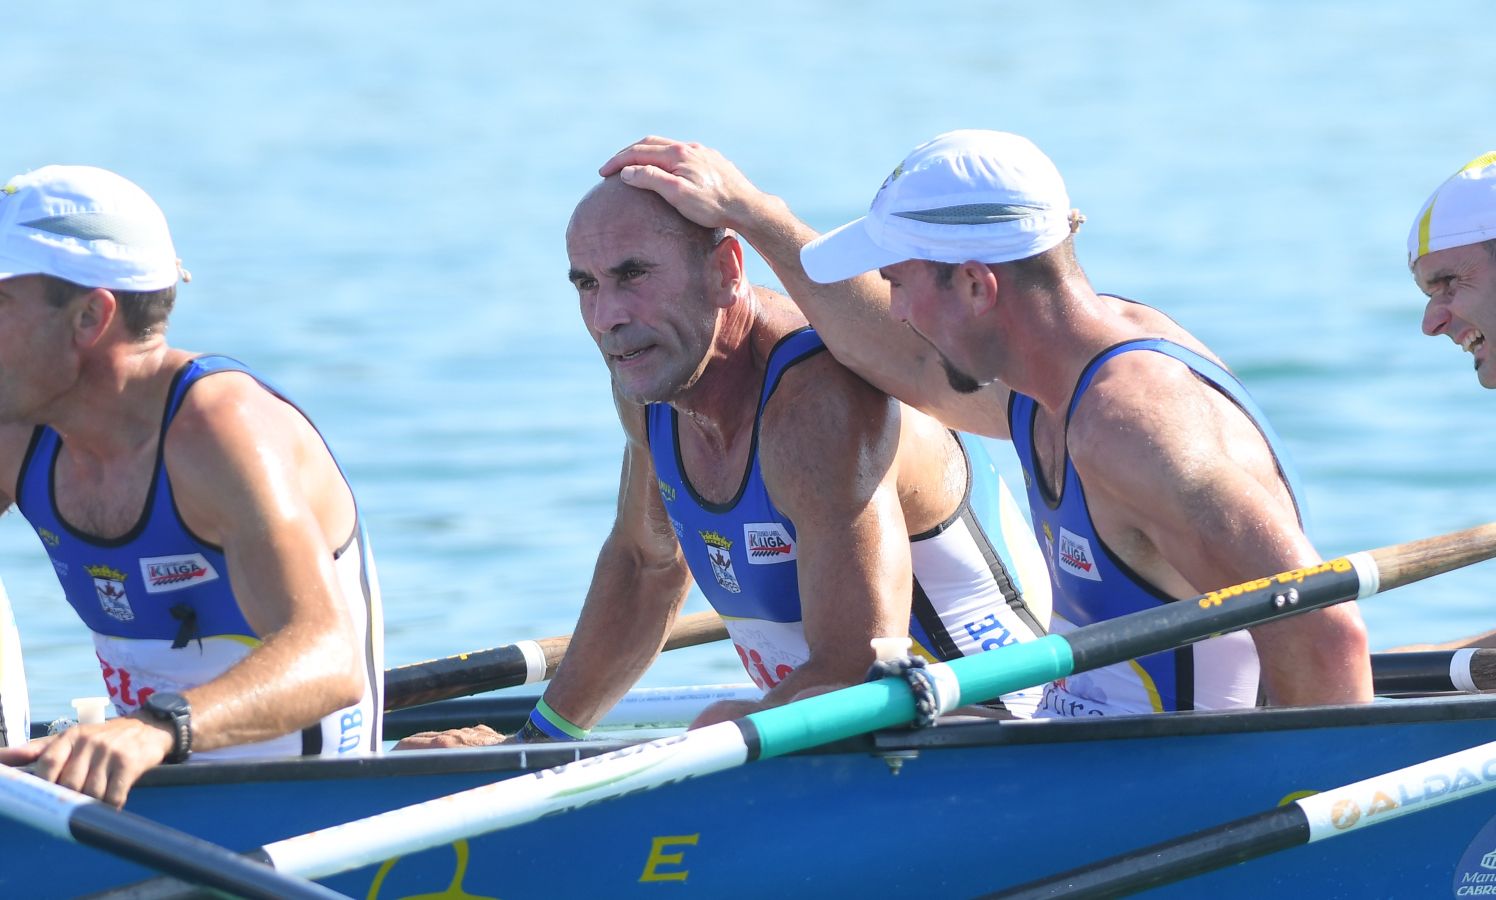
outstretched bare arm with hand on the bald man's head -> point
(850, 316)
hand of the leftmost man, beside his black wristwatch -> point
(102, 760)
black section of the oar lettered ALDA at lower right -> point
(1174, 860)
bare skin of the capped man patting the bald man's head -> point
(1184, 493)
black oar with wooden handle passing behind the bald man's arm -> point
(511, 666)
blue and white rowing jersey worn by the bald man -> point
(972, 593)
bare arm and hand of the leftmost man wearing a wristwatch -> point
(252, 476)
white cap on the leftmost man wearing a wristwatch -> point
(88, 226)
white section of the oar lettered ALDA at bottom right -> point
(1386, 798)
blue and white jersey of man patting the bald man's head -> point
(1093, 585)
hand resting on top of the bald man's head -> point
(696, 180)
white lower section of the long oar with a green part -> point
(521, 799)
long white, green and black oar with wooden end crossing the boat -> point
(865, 708)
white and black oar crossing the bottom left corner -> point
(73, 817)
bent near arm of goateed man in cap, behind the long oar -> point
(1196, 481)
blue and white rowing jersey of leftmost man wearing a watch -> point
(159, 603)
